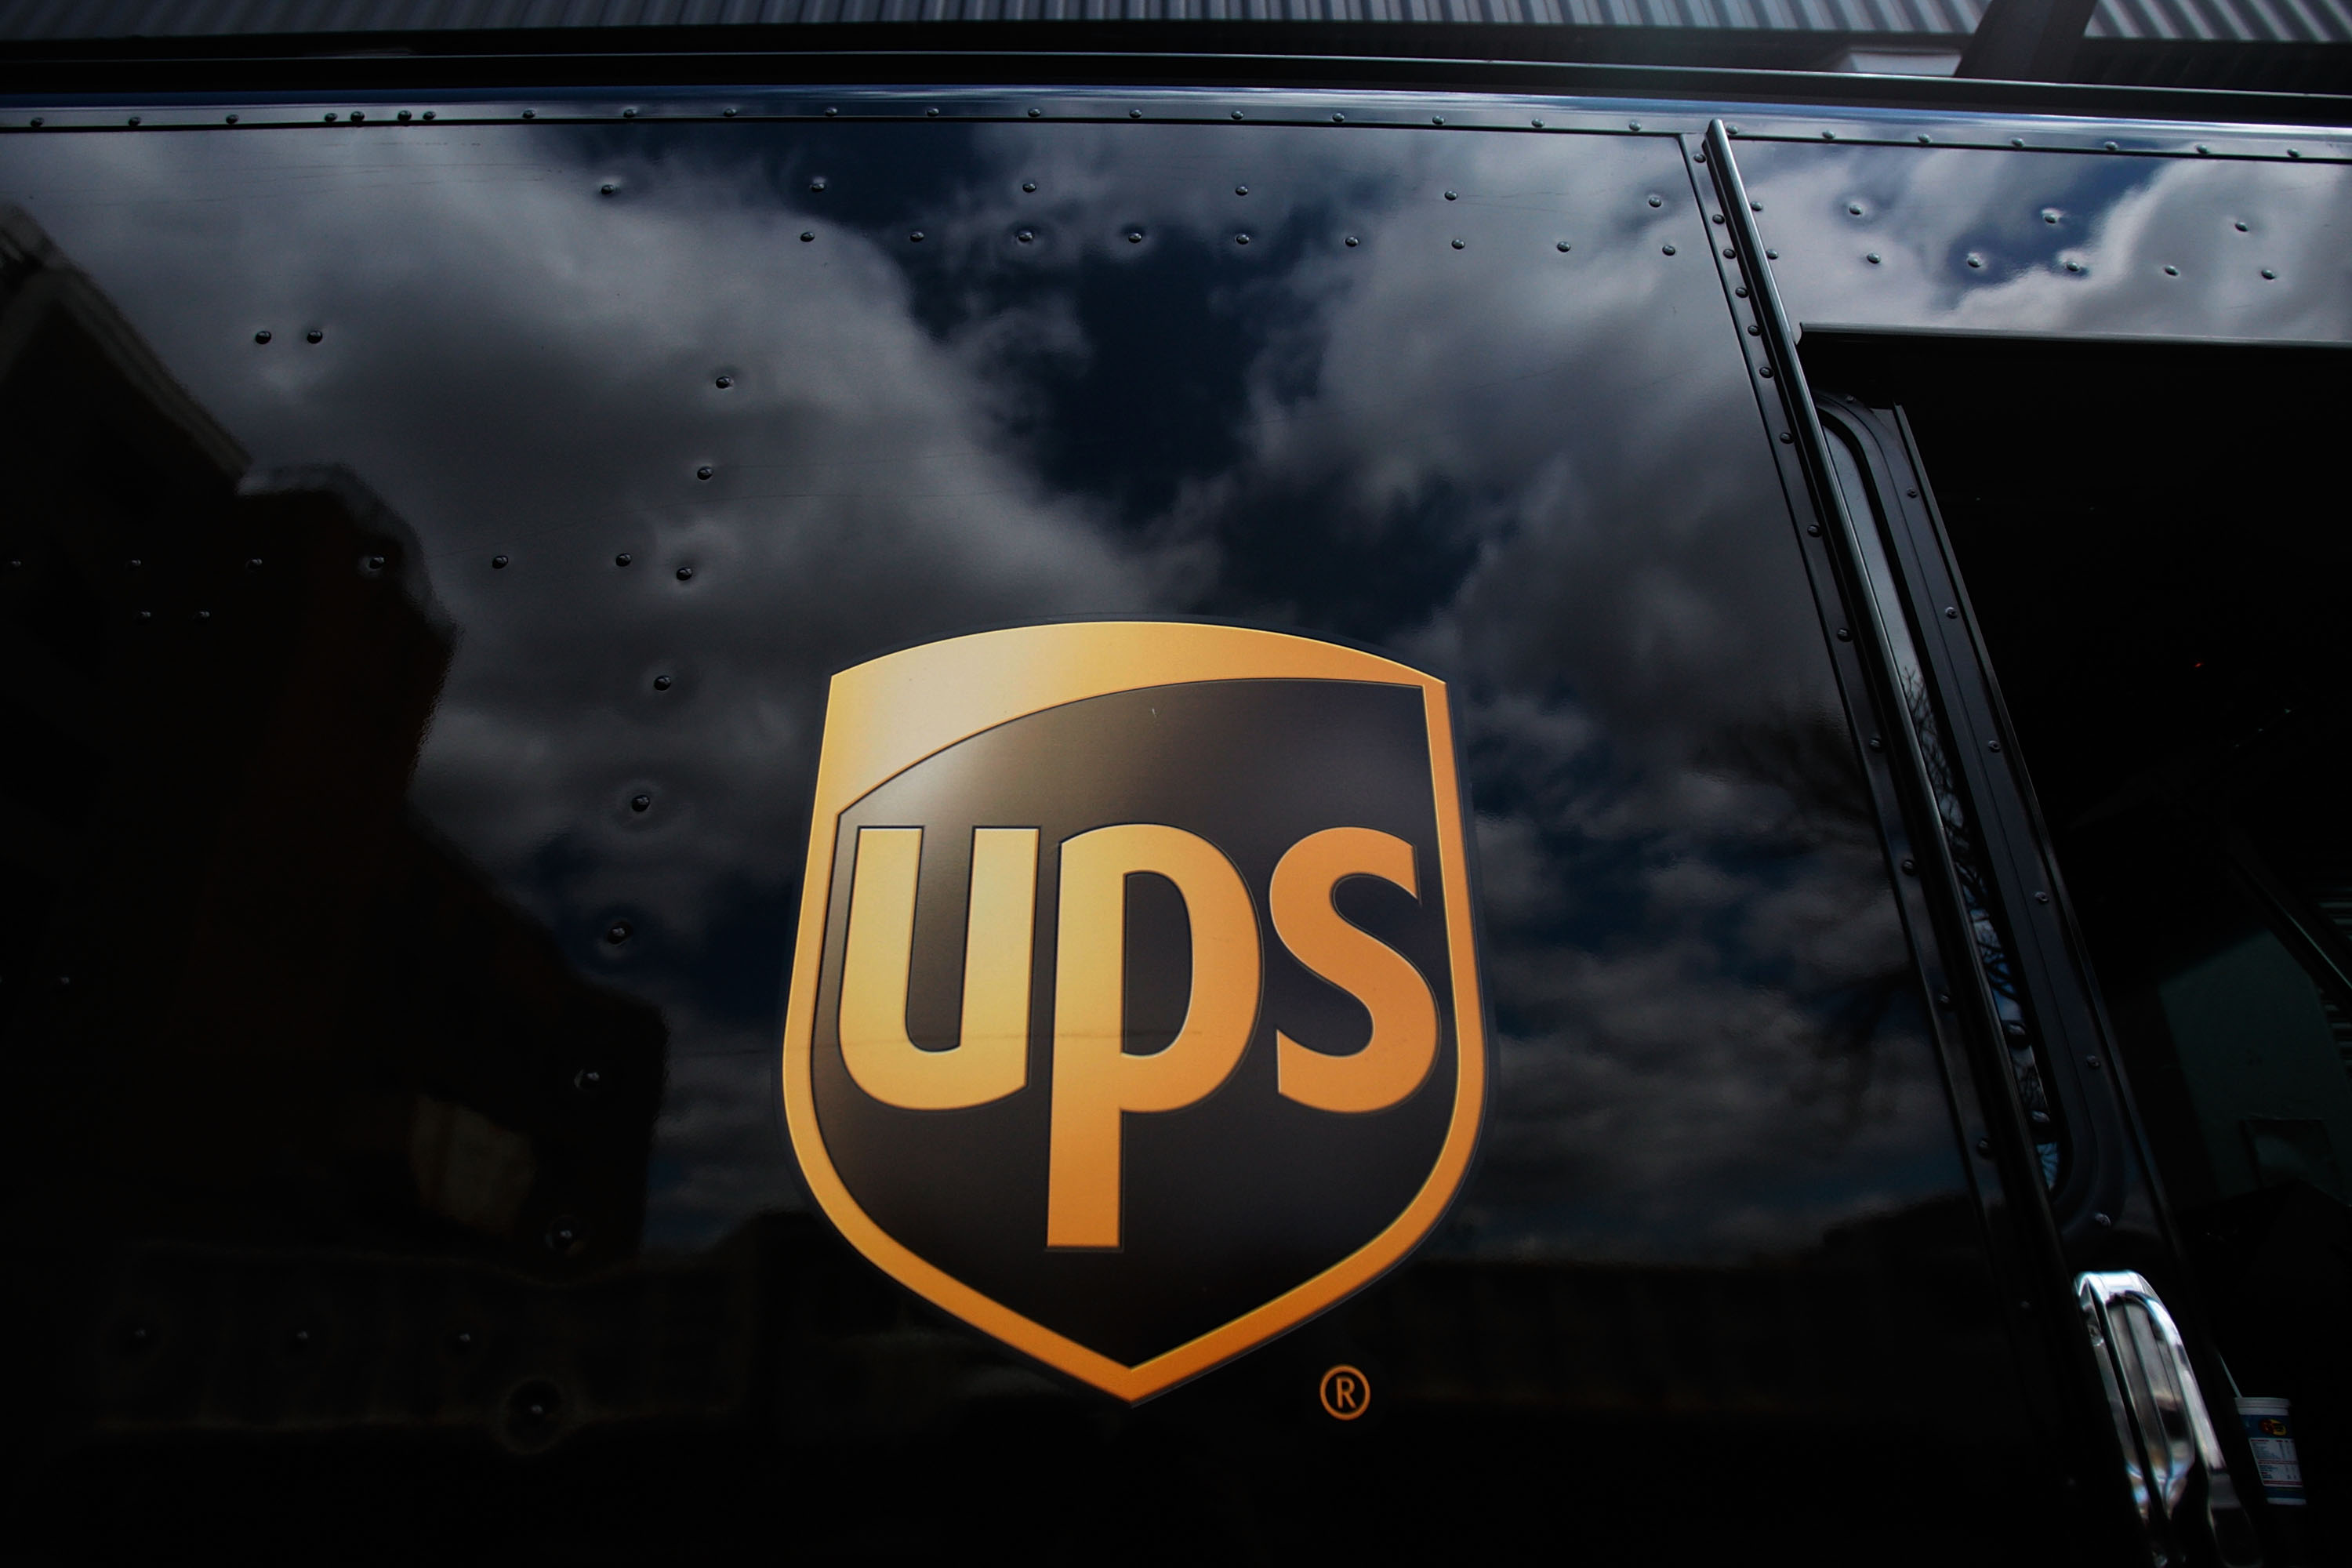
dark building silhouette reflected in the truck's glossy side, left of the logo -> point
(255, 1000)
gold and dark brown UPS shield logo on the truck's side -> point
(1135, 1014)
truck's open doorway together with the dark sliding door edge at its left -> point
(2123, 570)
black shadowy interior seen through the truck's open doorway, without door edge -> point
(2156, 565)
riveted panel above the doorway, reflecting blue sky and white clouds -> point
(2057, 243)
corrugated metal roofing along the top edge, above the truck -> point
(1942, 20)
